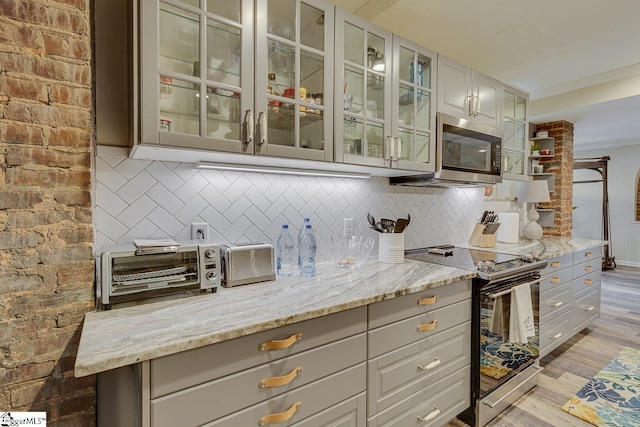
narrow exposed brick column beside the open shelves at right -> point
(562, 167)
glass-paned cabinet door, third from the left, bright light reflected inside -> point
(362, 94)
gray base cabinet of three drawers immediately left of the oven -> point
(419, 357)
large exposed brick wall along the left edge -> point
(46, 236)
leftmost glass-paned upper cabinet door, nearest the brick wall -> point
(196, 74)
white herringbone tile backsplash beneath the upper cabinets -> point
(152, 199)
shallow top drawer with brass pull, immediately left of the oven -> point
(385, 312)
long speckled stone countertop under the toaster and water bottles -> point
(123, 336)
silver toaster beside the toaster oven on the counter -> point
(245, 263)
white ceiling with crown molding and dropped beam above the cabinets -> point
(578, 59)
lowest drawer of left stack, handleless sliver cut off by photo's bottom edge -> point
(350, 413)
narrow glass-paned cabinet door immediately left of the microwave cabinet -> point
(413, 110)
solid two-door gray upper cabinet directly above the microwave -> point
(468, 94)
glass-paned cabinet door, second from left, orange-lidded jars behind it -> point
(294, 79)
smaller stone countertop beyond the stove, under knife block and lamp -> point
(545, 248)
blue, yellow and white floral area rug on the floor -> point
(612, 396)
